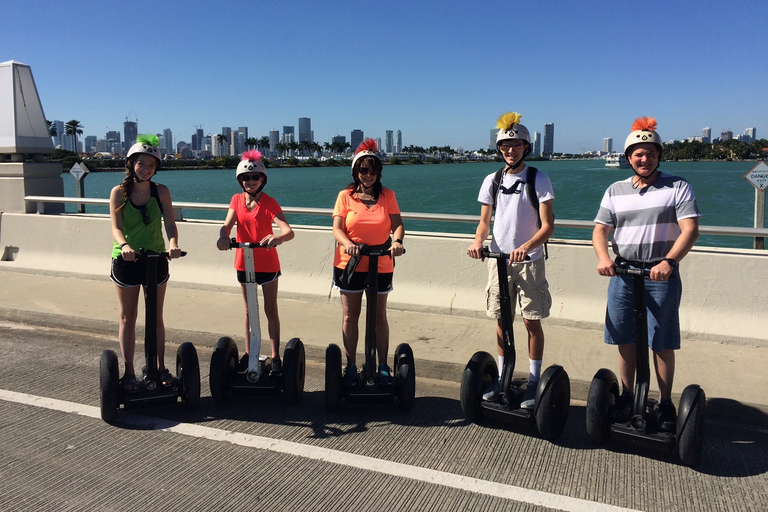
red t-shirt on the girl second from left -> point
(253, 226)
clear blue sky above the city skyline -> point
(439, 71)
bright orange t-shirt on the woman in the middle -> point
(370, 226)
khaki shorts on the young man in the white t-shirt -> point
(528, 287)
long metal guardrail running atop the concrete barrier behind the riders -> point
(437, 217)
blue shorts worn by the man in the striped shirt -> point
(662, 302)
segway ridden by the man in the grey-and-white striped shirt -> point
(641, 428)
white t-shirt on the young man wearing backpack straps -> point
(516, 220)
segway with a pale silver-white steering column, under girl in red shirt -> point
(258, 378)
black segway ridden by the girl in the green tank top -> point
(151, 391)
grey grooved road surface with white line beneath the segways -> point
(260, 453)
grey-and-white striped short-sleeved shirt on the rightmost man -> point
(645, 220)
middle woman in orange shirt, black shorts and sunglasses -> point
(365, 213)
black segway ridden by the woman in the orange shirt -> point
(368, 389)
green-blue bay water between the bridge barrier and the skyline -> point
(725, 197)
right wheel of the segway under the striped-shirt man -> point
(690, 425)
